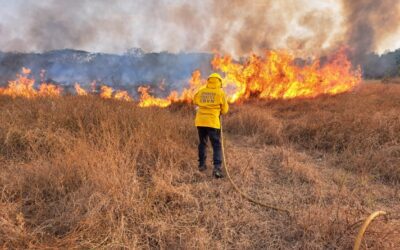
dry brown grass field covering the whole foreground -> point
(83, 172)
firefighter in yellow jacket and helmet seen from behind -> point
(211, 102)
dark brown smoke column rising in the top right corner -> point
(369, 22)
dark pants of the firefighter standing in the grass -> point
(215, 138)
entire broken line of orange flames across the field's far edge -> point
(275, 76)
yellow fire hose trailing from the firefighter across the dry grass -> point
(358, 240)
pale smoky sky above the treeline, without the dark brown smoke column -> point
(235, 26)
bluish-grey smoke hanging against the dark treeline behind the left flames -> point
(162, 71)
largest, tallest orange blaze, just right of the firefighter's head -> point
(278, 77)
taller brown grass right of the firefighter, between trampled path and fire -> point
(359, 131)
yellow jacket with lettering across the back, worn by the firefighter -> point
(211, 102)
